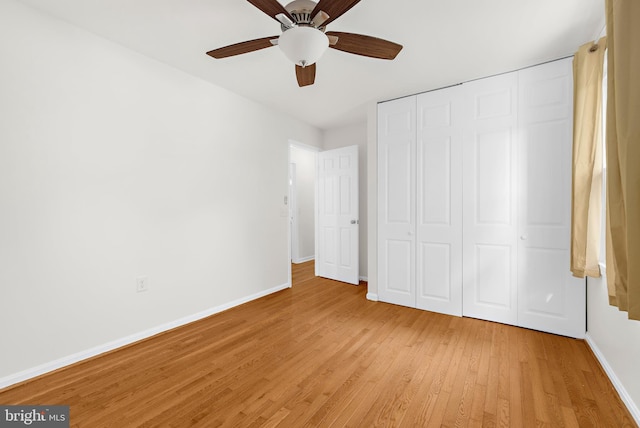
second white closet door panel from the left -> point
(439, 201)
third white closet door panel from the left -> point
(490, 199)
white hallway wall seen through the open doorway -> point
(305, 161)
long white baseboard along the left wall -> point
(110, 346)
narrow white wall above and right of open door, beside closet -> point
(349, 136)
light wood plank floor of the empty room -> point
(321, 355)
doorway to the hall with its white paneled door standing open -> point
(323, 211)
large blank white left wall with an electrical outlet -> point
(113, 165)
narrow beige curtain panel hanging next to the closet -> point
(586, 206)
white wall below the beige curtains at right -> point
(616, 342)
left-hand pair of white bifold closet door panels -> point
(420, 201)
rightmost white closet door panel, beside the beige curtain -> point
(549, 297)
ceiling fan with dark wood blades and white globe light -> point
(304, 37)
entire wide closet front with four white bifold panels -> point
(474, 200)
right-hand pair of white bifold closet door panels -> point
(517, 201)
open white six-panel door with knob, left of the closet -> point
(338, 219)
